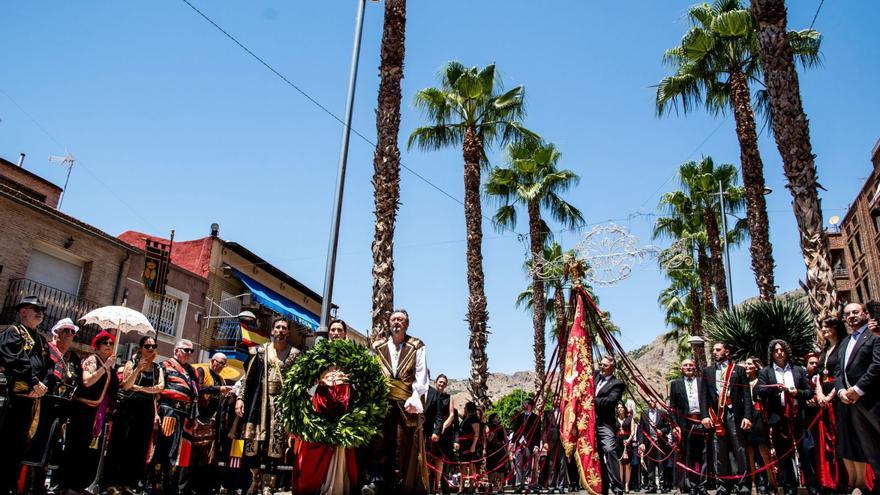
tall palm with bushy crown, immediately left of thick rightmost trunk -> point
(715, 64)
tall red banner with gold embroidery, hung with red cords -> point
(578, 416)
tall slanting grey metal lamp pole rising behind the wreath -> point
(340, 180)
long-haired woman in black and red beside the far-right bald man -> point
(832, 477)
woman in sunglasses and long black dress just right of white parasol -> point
(142, 381)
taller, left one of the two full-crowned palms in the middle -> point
(471, 109)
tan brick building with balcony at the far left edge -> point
(70, 265)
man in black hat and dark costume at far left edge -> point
(24, 363)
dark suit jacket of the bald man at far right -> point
(863, 368)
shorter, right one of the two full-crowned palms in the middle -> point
(532, 180)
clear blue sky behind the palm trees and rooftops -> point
(174, 126)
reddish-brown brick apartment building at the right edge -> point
(855, 248)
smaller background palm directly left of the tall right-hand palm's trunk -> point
(701, 181)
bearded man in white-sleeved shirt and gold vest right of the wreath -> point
(401, 466)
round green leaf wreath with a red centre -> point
(366, 407)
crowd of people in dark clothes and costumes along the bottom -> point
(79, 424)
